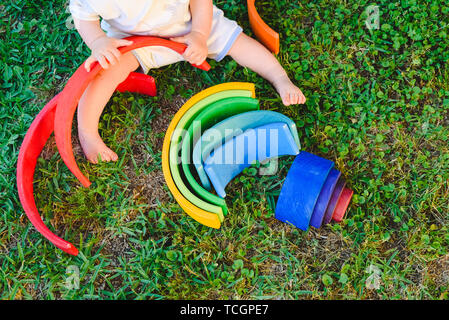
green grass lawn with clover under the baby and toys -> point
(378, 105)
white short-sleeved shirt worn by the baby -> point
(137, 17)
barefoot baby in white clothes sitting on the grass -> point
(197, 23)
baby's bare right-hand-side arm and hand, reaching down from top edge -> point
(196, 40)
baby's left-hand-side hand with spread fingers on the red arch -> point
(104, 50)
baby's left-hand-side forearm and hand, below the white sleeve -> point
(104, 48)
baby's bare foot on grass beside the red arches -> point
(94, 148)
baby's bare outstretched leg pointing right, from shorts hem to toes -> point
(250, 53)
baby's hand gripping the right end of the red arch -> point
(196, 51)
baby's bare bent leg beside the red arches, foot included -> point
(92, 103)
